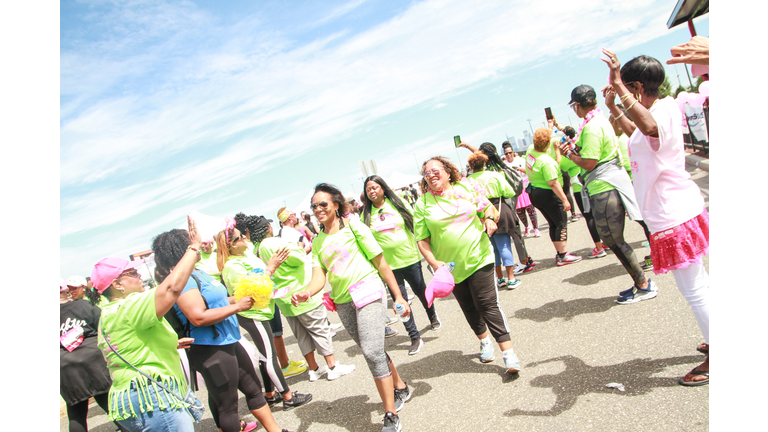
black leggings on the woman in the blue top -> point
(226, 369)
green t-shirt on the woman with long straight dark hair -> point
(396, 241)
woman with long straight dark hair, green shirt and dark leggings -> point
(391, 222)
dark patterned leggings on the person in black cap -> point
(608, 211)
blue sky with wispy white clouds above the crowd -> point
(169, 108)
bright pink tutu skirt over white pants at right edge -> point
(679, 246)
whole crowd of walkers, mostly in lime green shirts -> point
(137, 351)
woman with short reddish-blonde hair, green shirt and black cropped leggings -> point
(547, 194)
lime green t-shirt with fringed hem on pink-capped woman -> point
(133, 329)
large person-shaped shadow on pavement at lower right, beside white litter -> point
(580, 379)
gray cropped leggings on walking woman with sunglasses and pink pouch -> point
(366, 326)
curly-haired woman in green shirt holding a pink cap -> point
(452, 221)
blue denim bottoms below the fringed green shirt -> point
(167, 420)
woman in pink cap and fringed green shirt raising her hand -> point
(133, 322)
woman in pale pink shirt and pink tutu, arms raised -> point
(670, 202)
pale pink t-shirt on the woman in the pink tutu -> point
(665, 192)
